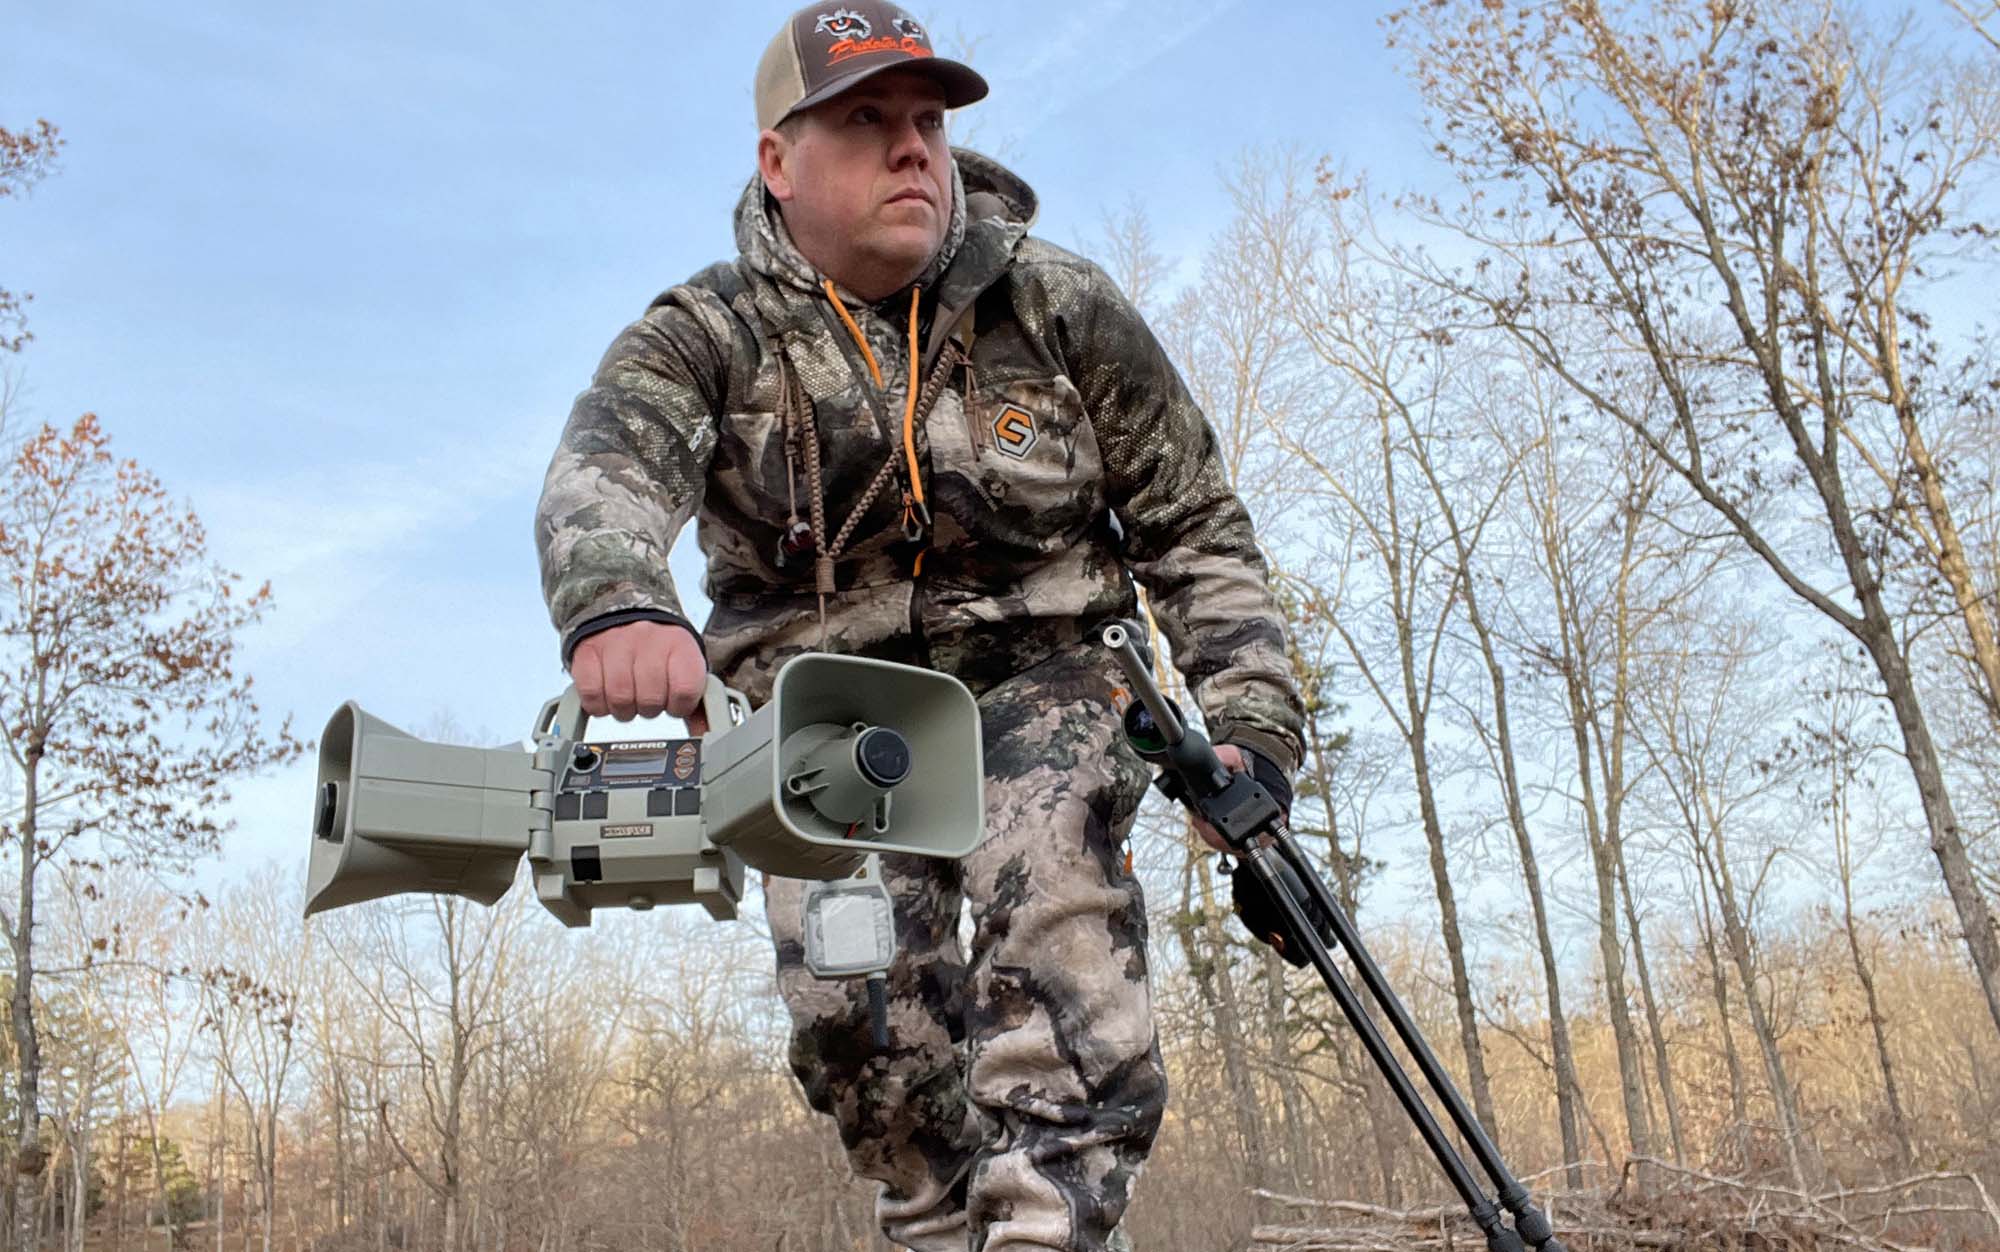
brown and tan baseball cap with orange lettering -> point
(825, 49)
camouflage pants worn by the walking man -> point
(1023, 1085)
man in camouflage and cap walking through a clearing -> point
(911, 431)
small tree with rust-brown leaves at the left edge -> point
(125, 719)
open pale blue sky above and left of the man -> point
(335, 273)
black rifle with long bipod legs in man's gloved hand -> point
(1253, 825)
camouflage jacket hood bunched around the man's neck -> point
(993, 209)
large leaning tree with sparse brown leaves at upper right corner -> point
(1803, 177)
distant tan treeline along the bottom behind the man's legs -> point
(435, 1075)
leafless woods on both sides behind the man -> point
(1635, 509)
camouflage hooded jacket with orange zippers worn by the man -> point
(1059, 453)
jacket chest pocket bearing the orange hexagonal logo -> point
(1017, 463)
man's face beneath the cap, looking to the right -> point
(865, 181)
